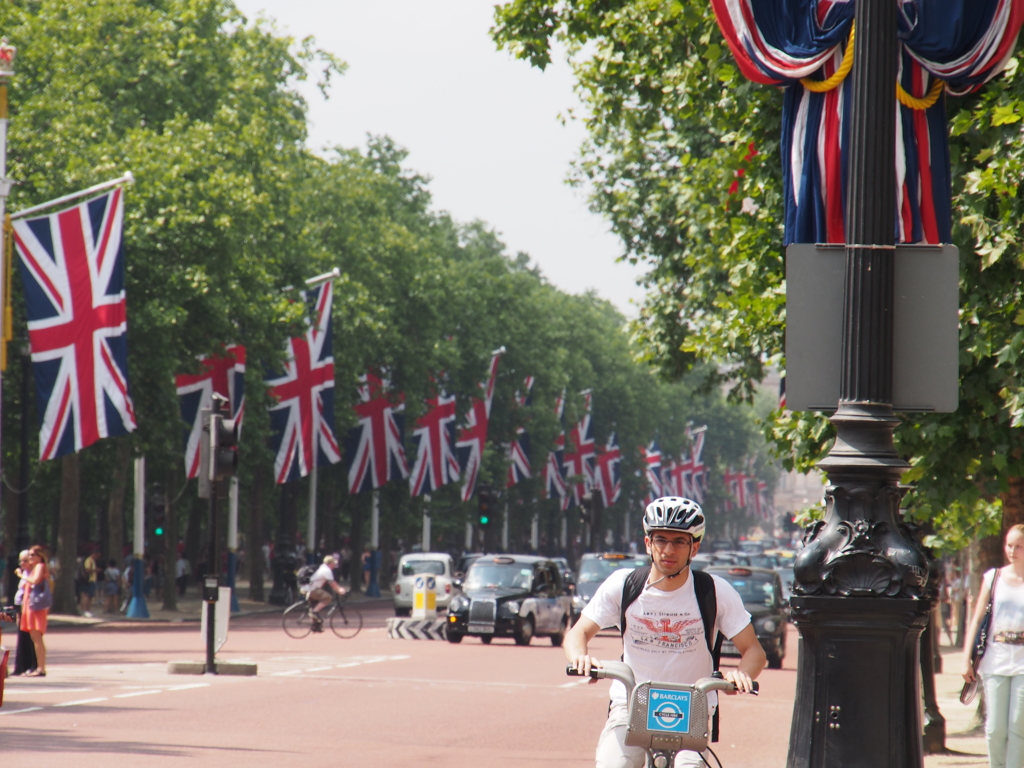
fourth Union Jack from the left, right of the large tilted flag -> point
(374, 449)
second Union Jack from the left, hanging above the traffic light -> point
(224, 374)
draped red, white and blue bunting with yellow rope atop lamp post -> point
(792, 42)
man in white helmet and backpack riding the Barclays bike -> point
(664, 638)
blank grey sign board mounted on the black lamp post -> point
(926, 335)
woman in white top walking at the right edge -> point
(1002, 668)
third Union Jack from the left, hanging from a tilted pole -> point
(303, 420)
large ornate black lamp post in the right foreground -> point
(861, 591)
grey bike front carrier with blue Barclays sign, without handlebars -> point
(668, 717)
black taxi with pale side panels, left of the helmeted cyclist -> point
(519, 596)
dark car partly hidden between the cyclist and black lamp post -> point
(761, 590)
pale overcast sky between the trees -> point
(484, 126)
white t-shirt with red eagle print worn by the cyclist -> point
(665, 637)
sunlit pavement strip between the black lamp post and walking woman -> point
(965, 735)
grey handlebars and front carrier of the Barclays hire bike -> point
(664, 718)
